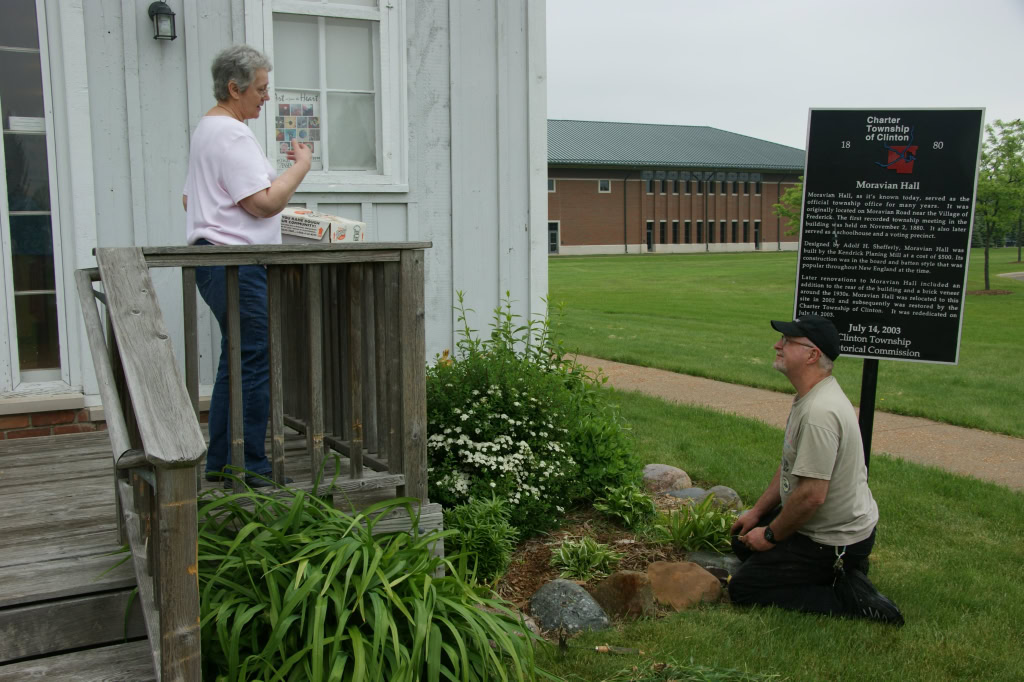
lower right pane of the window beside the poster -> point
(352, 133)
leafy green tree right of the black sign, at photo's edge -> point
(1001, 186)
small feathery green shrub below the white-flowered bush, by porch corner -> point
(483, 539)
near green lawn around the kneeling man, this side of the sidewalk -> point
(951, 552)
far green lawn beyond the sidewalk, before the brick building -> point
(707, 315)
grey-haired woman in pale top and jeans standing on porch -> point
(233, 196)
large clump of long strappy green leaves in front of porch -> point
(293, 589)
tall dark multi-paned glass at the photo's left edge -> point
(30, 265)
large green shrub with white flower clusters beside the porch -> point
(510, 416)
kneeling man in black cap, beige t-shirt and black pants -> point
(805, 543)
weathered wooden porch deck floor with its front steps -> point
(58, 545)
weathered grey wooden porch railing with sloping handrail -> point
(348, 370)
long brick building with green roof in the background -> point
(688, 189)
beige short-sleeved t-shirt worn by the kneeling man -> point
(823, 441)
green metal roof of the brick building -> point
(605, 144)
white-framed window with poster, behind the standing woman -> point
(337, 84)
